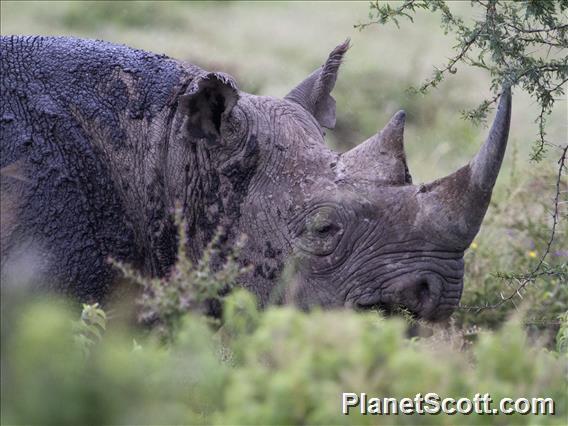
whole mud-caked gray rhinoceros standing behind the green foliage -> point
(100, 142)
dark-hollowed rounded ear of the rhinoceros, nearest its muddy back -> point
(207, 102)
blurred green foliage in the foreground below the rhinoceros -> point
(279, 366)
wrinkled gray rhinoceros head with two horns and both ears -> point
(352, 228)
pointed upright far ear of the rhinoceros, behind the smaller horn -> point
(313, 94)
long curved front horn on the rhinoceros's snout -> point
(456, 204)
